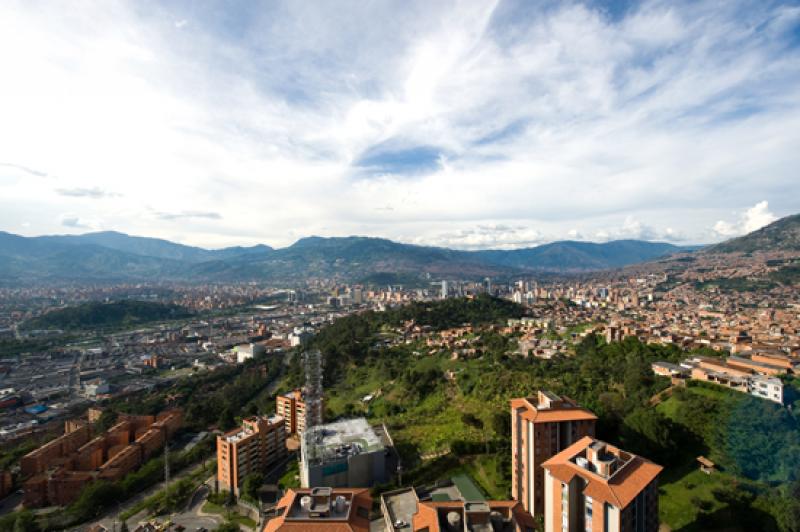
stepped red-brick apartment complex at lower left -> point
(57, 471)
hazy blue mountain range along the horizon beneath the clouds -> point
(116, 257)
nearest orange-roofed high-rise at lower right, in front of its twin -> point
(594, 486)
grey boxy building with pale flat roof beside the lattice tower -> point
(347, 453)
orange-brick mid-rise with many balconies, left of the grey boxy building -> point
(252, 448)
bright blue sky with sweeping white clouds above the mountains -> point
(462, 124)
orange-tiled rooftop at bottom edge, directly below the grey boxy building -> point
(322, 510)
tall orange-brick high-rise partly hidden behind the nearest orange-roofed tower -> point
(541, 427)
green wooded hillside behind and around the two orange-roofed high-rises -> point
(450, 415)
